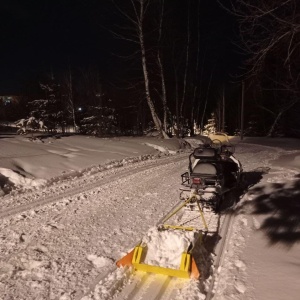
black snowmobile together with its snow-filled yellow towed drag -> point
(173, 247)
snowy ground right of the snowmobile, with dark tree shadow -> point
(262, 259)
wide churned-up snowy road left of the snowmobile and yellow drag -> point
(59, 248)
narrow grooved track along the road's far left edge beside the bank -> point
(83, 186)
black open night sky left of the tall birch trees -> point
(39, 36)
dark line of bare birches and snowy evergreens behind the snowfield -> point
(175, 72)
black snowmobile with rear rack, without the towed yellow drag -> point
(213, 172)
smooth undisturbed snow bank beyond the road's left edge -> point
(27, 164)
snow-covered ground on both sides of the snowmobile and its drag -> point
(66, 249)
